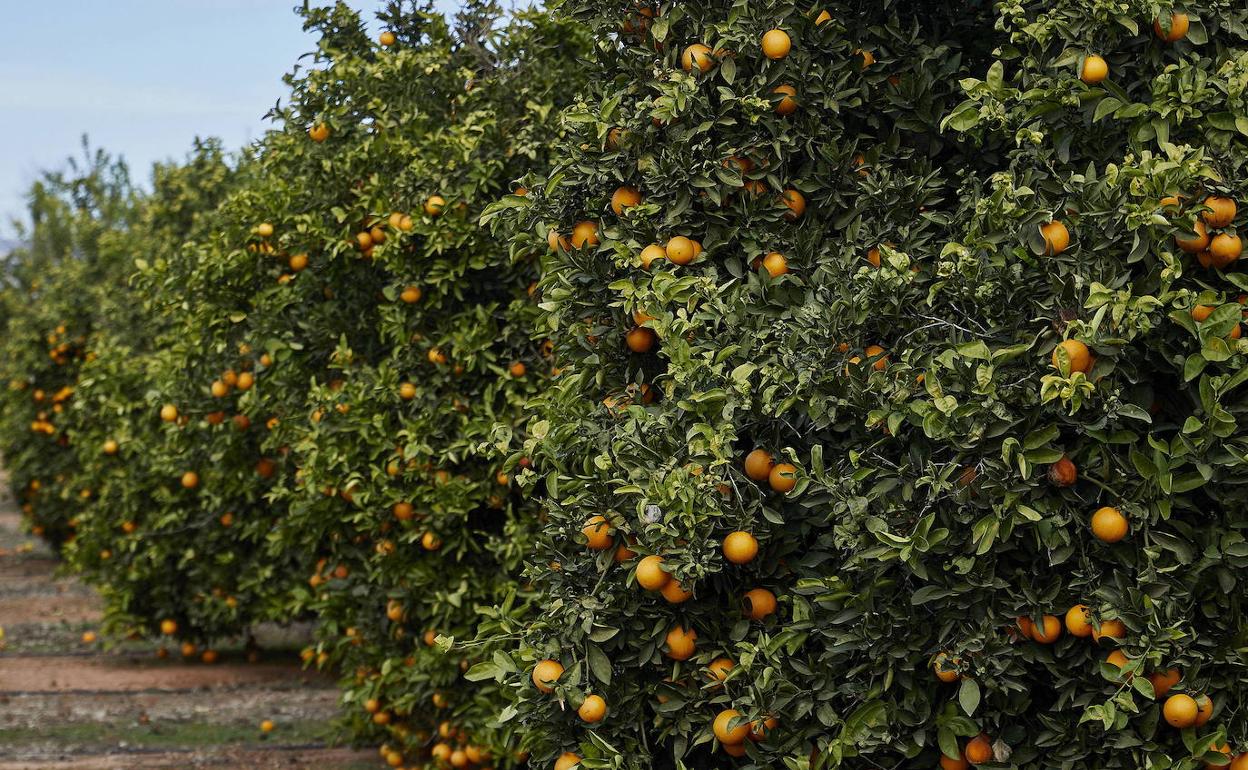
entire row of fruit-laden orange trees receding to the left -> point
(838, 386)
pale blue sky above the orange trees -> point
(140, 78)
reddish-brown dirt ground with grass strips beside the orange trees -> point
(68, 704)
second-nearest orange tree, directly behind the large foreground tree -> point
(384, 338)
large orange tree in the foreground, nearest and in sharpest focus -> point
(902, 373)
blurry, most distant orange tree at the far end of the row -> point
(49, 303)
